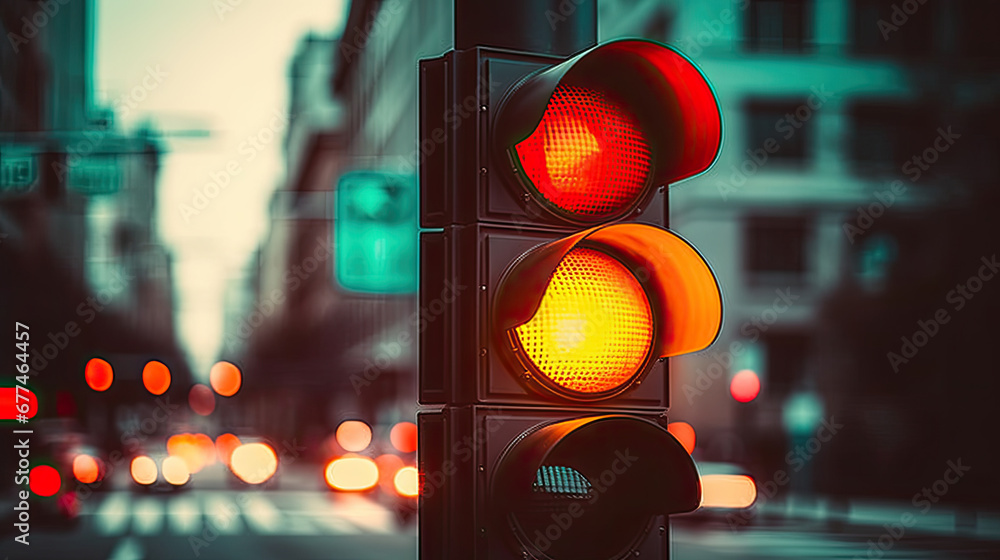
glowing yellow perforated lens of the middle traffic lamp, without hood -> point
(593, 327)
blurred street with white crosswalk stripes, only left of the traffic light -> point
(299, 520)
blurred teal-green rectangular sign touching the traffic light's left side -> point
(375, 234)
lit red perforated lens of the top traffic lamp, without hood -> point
(587, 157)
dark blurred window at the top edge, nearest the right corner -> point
(893, 28)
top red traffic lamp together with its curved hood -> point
(668, 121)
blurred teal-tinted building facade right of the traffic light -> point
(836, 113)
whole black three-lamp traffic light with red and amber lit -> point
(551, 296)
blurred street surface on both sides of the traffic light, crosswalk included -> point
(211, 524)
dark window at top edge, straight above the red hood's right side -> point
(779, 25)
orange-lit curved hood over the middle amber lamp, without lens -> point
(683, 291)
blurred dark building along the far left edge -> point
(83, 265)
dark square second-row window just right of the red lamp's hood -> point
(782, 129)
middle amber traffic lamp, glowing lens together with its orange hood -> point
(586, 315)
